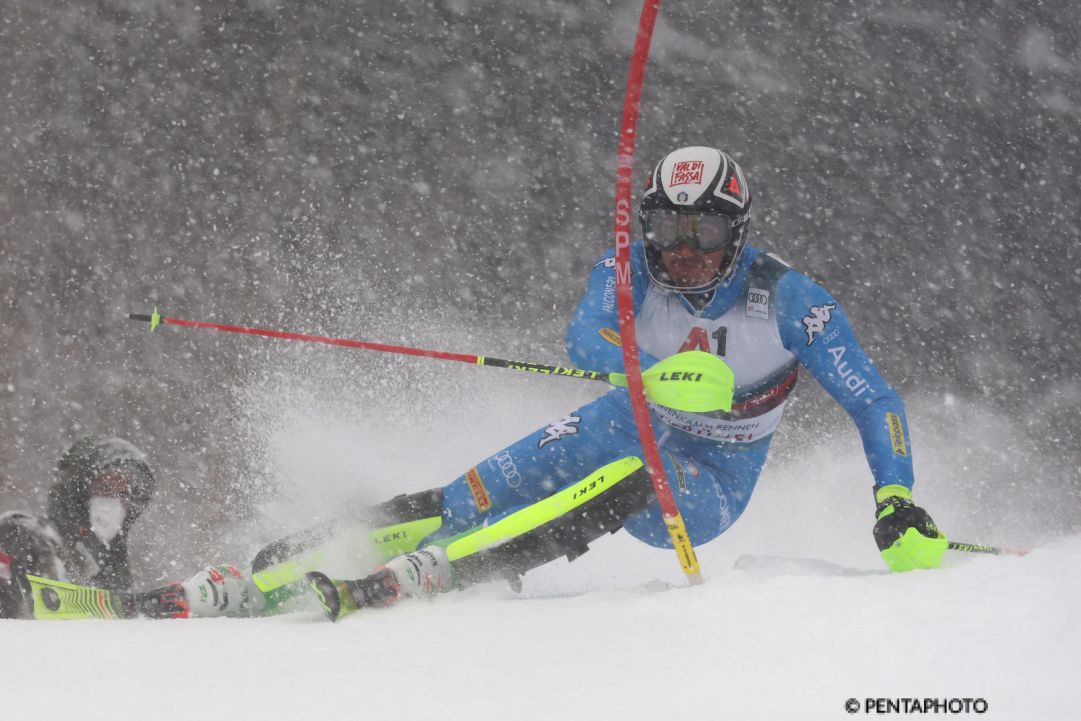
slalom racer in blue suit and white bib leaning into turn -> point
(698, 286)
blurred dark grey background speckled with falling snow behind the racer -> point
(443, 172)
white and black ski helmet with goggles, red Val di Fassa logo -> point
(699, 196)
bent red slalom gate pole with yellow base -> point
(624, 181)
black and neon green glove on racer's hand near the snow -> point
(904, 532)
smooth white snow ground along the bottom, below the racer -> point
(608, 637)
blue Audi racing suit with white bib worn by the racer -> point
(765, 322)
